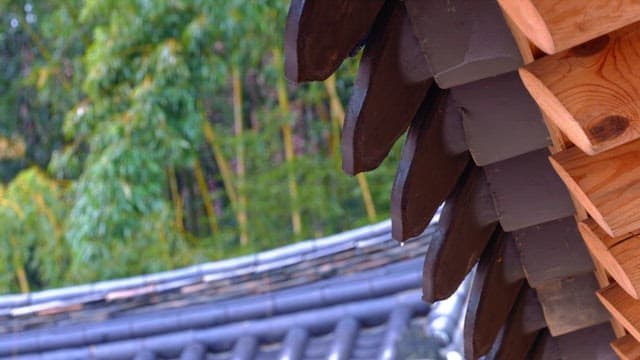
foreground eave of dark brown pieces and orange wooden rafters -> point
(484, 108)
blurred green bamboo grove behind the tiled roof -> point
(139, 136)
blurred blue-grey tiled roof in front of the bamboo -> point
(353, 295)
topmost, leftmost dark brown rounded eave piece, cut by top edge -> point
(312, 52)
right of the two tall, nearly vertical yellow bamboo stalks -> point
(287, 135)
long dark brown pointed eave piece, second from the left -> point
(392, 81)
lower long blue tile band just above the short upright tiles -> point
(306, 319)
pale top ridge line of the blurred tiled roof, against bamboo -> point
(198, 269)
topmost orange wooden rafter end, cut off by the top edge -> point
(558, 25)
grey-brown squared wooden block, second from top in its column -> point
(500, 119)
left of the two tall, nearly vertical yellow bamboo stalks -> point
(240, 161)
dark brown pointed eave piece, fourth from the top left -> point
(467, 223)
